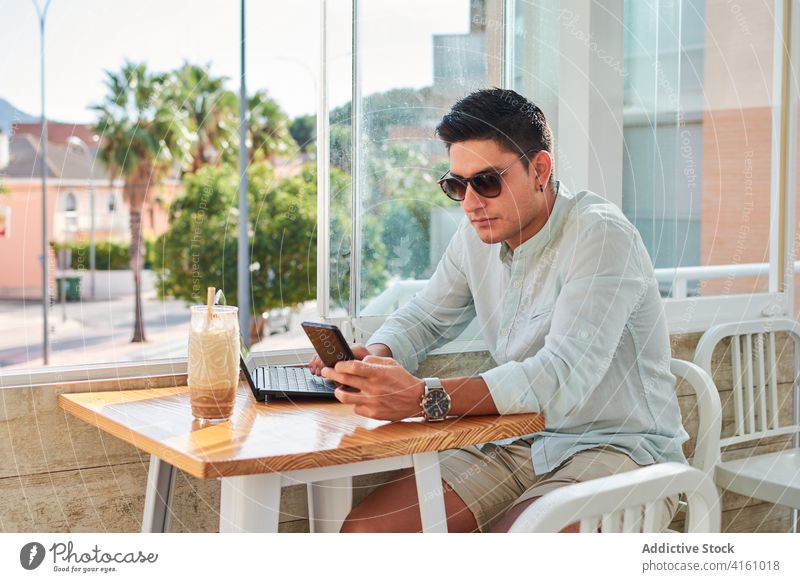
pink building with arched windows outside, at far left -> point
(73, 174)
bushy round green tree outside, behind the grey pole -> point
(200, 247)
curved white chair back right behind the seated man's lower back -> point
(709, 412)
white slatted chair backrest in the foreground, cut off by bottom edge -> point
(626, 502)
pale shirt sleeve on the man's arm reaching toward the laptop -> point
(435, 315)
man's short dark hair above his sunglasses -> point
(502, 115)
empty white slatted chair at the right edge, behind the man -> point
(757, 406)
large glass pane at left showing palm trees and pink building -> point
(186, 198)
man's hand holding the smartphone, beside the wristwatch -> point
(388, 391)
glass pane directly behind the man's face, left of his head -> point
(417, 58)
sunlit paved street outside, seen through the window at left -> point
(100, 332)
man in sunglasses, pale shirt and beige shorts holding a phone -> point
(569, 307)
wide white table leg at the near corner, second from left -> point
(251, 503)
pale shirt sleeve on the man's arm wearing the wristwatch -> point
(602, 288)
